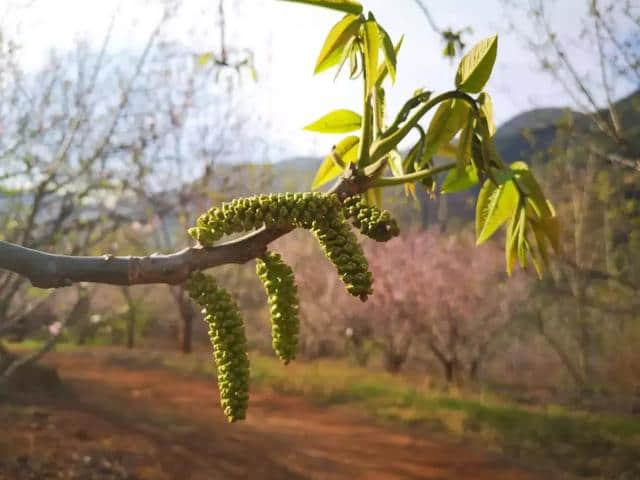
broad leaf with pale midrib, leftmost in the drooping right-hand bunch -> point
(495, 205)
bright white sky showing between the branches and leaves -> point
(286, 38)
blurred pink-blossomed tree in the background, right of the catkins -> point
(446, 307)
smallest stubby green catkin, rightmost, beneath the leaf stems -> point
(371, 221)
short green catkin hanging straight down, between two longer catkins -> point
(282, 294)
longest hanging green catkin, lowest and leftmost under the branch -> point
(226, 331)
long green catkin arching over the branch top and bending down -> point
(321, 213)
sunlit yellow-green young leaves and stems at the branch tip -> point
(461, 129)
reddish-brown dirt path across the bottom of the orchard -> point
(152, 423)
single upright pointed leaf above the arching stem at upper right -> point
(476, 66)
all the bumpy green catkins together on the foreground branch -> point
(326, 218)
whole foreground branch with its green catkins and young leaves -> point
(508, 194)
